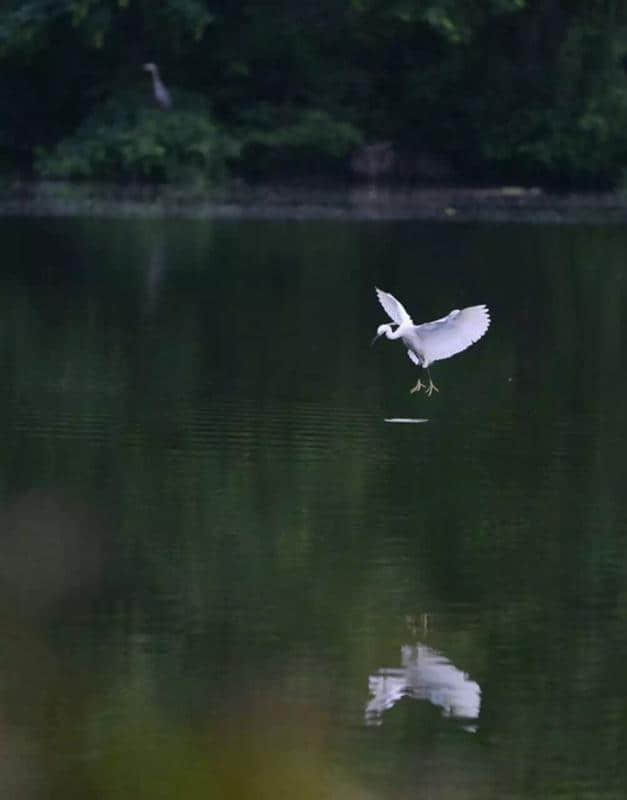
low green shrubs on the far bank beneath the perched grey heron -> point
(128, 140)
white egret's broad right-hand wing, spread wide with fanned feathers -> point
(444, 337)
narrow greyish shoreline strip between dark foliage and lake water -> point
(280, 202)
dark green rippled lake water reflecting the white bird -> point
(224, 574)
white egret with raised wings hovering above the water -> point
(432, 341)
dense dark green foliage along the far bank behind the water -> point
(523, 90)
